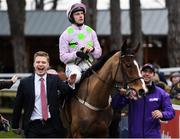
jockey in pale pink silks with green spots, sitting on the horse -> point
(76, 40)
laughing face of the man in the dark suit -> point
(41, 65)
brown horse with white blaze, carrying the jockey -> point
(89, 112)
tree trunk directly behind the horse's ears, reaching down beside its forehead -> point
(136, 33)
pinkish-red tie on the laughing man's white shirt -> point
(43, 101)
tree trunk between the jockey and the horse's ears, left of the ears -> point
(116, 37)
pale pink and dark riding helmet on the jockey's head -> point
(74, 8)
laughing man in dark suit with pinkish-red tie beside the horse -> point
(29, 99)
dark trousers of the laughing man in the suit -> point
(41, 129)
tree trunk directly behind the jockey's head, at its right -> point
(91, 15)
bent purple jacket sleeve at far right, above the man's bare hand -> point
(167, 109)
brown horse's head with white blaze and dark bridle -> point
(132, 77)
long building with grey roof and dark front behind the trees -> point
(43, 28)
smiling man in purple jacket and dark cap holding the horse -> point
(144, 114)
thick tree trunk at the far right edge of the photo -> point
(173, 38)
